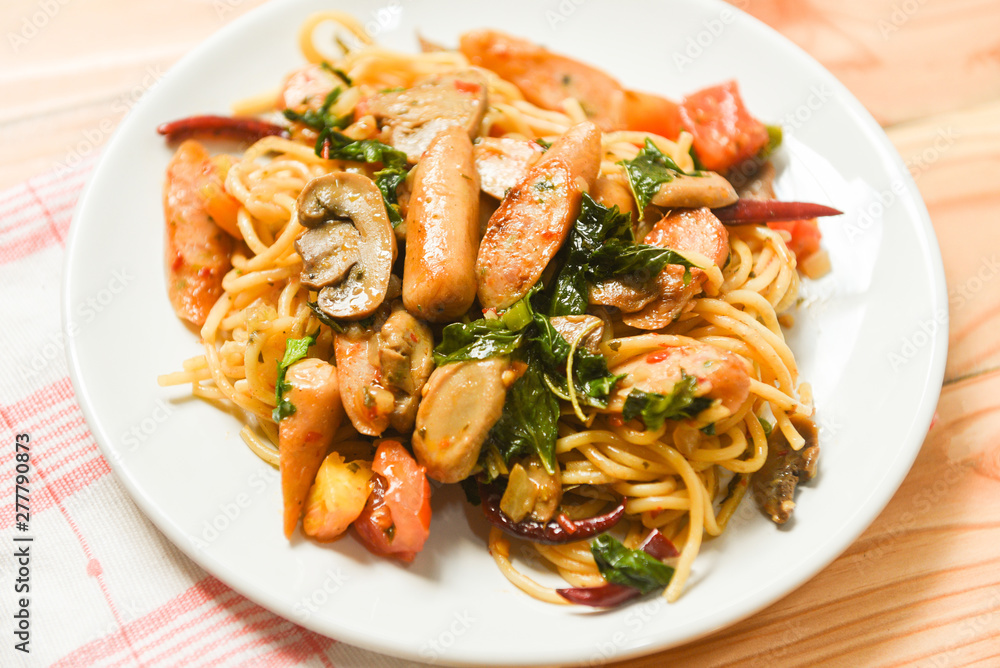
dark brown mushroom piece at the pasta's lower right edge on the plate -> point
(774, 484)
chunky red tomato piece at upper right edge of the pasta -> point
(725, 134)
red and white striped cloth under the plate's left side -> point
(107, 588)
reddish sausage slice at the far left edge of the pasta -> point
(197, 250)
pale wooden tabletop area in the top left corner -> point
(71, 81)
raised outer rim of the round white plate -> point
(911, 441)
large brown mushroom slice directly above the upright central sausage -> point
(411, 118)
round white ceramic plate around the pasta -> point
(867, 338)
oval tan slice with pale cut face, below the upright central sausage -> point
(462, 402)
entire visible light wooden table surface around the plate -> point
(922, 585)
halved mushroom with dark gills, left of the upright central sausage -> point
(351, 269)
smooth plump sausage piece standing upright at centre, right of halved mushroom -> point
(442, 230)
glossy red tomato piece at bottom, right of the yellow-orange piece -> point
(397, 516)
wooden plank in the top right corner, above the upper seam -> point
(901, 58)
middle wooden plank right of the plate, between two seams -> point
(955, 159)
